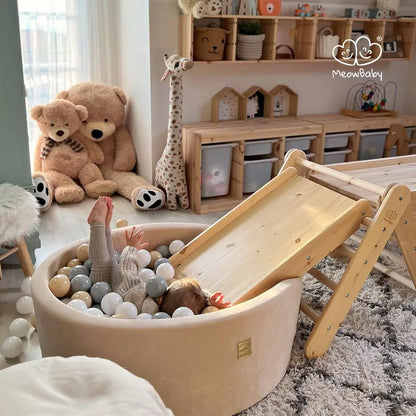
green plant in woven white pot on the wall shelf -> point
(250, 39)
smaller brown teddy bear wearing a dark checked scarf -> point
(59, 159)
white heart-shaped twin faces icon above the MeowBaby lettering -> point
(360, 52)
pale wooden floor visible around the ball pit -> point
(59, 226)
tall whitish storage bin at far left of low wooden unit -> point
(216, 168)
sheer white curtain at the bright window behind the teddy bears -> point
(65, 42)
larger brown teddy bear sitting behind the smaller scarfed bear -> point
(106, 110)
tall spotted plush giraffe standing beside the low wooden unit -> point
(170, 168)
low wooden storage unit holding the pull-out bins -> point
(239, 131)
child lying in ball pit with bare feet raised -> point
(124, 276)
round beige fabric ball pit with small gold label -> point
(193, 362)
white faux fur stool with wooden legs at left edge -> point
(19, 218)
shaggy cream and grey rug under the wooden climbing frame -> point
(370, 368)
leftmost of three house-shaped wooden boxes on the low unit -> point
(228, 104)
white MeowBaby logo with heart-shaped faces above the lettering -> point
(360, 52)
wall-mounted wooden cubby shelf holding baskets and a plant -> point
(299, 33)
